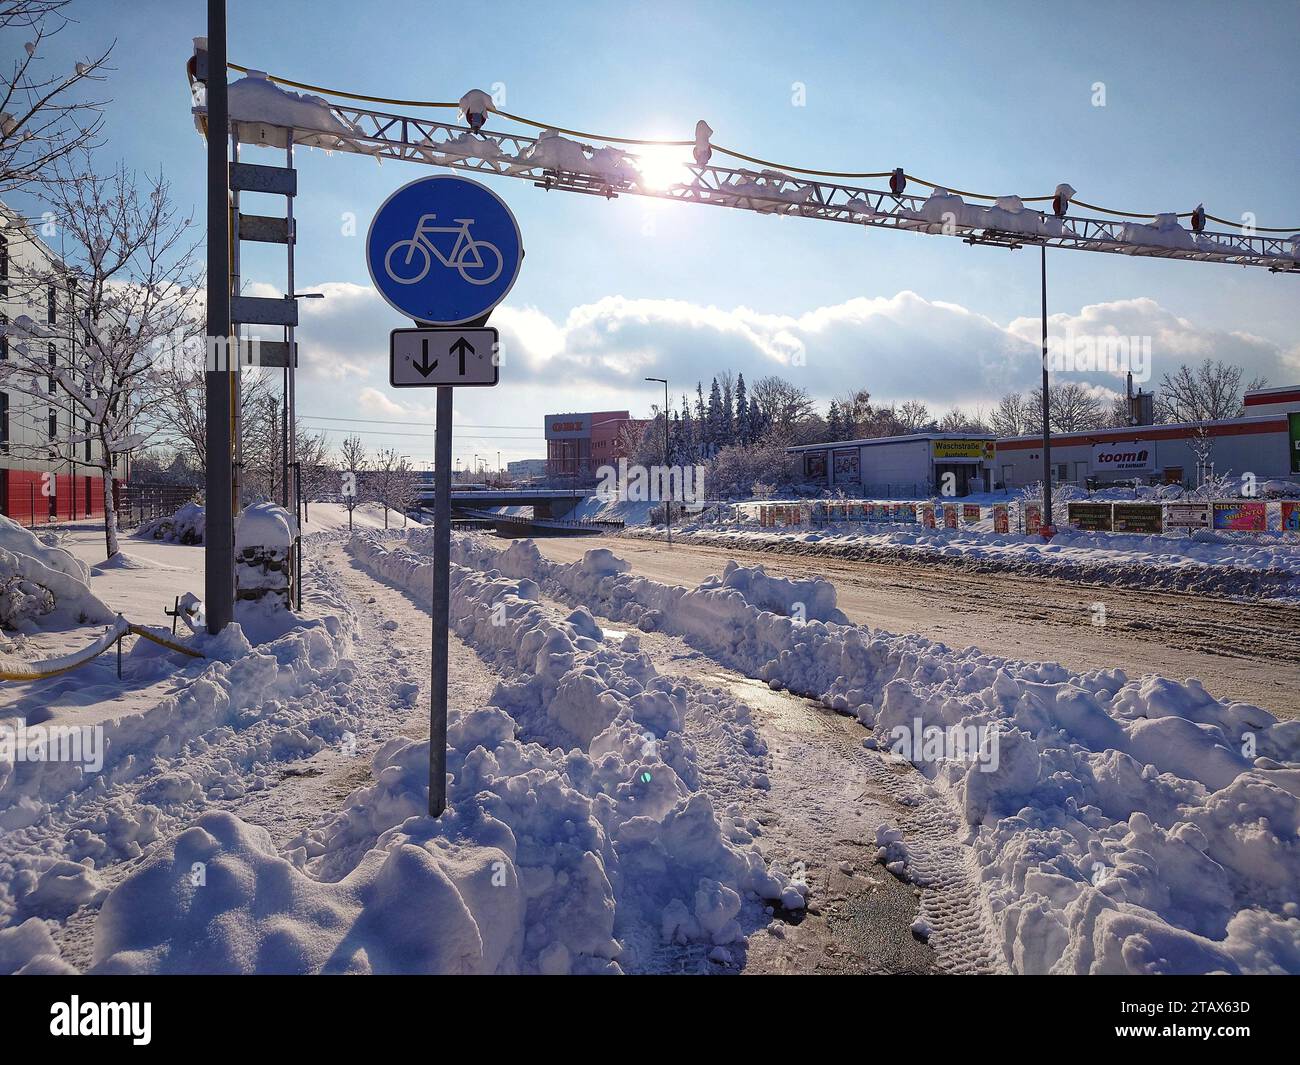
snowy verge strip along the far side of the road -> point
(1238, 566)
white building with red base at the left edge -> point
(44, 475)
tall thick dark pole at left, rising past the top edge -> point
(219, 543)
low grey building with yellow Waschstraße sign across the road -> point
(900, 467)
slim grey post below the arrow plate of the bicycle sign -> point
(441, 603)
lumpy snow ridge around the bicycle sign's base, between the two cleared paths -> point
(577, 838)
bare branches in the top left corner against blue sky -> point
(42, 122)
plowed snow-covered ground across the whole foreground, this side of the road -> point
(1098, 822)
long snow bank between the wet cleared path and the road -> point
(1124, 825)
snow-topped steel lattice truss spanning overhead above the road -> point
(612, 172)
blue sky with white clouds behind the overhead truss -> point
(1202, 105)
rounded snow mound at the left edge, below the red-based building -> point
(44, 587)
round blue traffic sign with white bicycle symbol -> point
(444, 250)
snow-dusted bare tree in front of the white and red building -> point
(127, 287)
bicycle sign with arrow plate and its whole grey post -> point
(444, 252)
